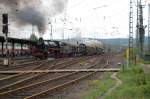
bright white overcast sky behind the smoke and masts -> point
(88, 18)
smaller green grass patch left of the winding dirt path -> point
(98, 87)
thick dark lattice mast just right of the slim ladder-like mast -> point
(140, 30)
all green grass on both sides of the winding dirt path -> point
(135, 85)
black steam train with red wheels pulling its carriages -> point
(58, 49)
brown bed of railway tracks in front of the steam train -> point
(44, 84)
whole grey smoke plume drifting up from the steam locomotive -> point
(32, 12)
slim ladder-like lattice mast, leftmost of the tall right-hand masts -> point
(131, 56)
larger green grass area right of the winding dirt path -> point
(136, 85)
